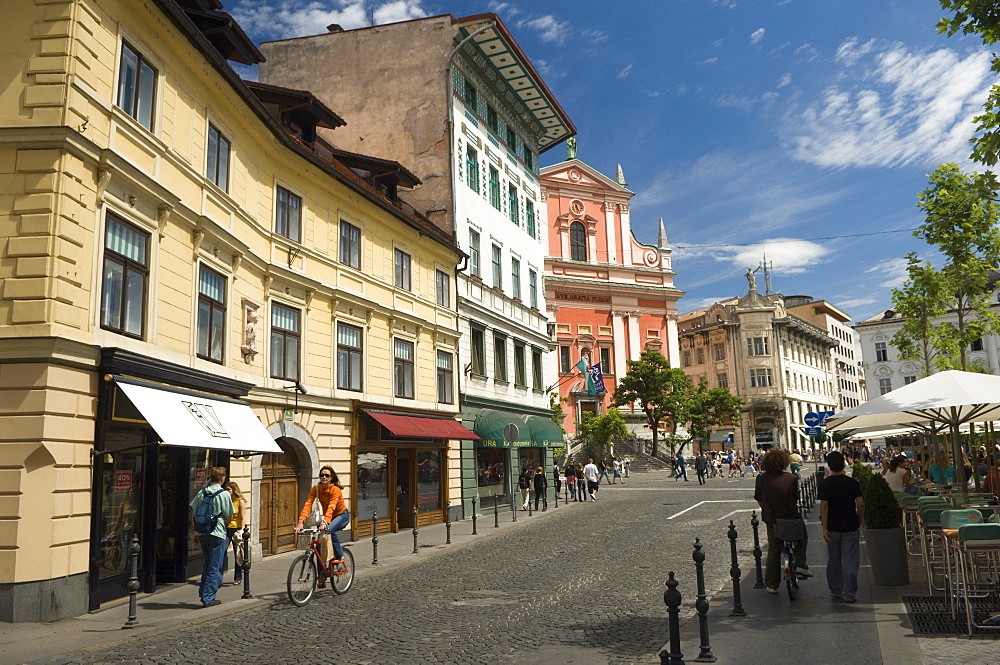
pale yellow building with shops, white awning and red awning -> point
(174, 240)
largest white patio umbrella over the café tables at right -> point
(950, 398)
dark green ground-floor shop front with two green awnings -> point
(509, 441)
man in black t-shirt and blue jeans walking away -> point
(841, 510)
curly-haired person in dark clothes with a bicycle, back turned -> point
(777, 492)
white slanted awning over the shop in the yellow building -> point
(193, 420)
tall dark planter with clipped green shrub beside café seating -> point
(884, 534)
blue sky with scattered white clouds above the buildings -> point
(747, 126)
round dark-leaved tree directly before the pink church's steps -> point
(660, 391)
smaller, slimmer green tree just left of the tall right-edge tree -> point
(920, 301)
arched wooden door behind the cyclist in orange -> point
(279, 499)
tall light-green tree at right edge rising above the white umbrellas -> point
(960, 223)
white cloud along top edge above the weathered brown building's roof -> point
(311, 18)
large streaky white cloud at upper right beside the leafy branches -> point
(891, 107)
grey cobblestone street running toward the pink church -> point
(582, 584)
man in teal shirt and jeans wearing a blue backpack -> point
(212, 508)
